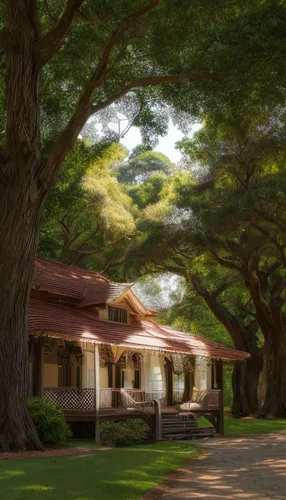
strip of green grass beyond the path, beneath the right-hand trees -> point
(238, 427)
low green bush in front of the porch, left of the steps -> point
(126, 433)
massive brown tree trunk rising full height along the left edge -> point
(20, 204)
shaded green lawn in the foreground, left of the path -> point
(121, 473)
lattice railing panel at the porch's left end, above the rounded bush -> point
(71, 399)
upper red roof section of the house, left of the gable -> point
(86, 287)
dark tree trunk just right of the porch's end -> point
(245, 381)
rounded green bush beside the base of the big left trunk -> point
(49, 421)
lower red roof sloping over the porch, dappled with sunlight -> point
(81, 325)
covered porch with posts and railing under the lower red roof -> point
(92, 382)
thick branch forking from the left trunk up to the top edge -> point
(52, 41)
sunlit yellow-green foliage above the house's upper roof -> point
(88, 212)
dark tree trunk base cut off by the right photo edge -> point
(274, 405)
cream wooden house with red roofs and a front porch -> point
(97, 352)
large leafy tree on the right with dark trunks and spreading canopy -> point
(224, 223)
